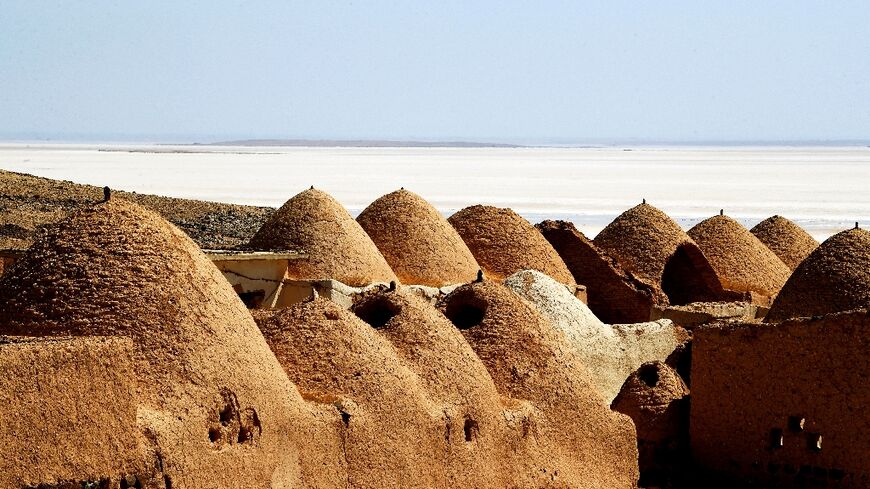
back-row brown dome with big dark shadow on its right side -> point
(649, 244)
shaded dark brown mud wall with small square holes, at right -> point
(784, 403)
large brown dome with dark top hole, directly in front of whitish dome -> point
(529, 359)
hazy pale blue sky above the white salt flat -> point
(484, 70)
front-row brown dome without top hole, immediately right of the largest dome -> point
(391, 436)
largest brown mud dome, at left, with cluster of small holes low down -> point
(215, 408)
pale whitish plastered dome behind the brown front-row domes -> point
(609, 353)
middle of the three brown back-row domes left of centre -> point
(417, 241)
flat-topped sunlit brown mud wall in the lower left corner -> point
(69, 412)
